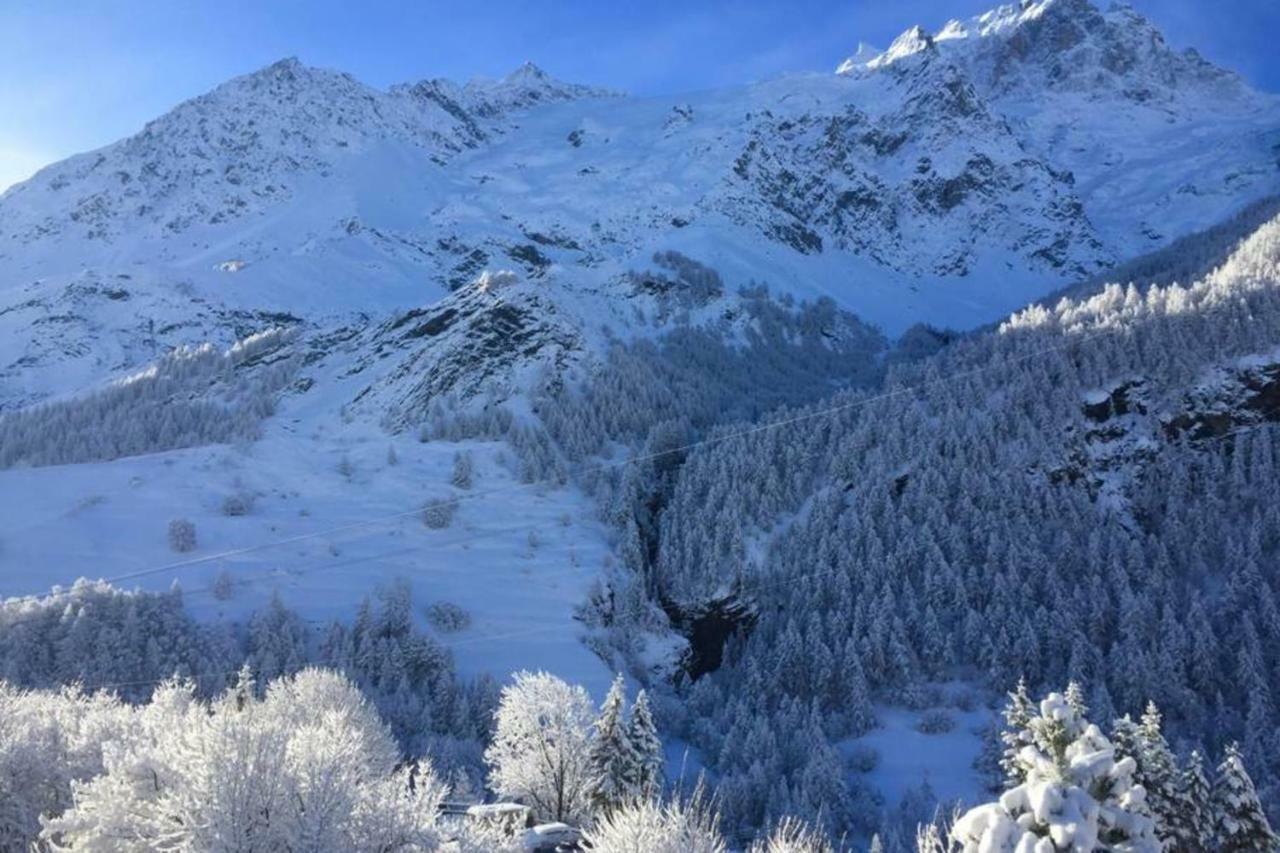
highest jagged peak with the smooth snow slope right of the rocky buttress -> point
(1158, 143)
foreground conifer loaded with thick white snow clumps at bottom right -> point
(1076, 796)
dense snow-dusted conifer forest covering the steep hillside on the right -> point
(984, 514)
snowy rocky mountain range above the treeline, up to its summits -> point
(949, 180)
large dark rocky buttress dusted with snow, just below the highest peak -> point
(930, 186)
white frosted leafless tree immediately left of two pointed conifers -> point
(541, 747)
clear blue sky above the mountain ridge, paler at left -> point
(76, 75)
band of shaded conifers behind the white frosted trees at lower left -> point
(126, 644)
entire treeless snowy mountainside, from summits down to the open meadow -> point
(950, 180)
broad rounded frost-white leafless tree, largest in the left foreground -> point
(308, 767)
